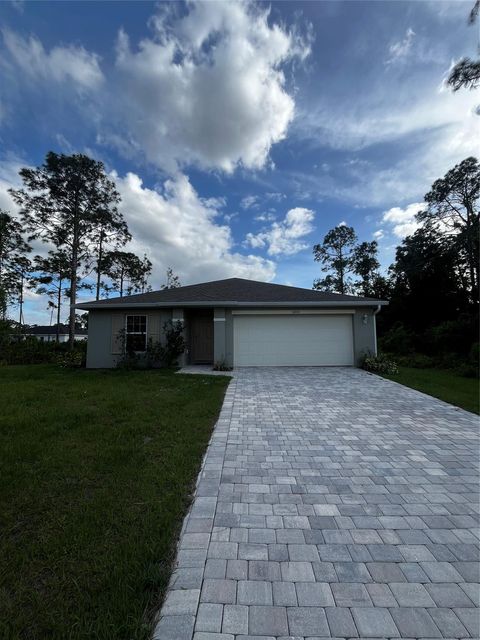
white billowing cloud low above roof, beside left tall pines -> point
(176, 228)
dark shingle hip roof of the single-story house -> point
(232, 292)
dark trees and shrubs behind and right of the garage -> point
(433, 284)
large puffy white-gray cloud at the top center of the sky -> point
(208, 88)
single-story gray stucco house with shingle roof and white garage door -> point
(238, 323)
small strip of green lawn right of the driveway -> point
(460, 391)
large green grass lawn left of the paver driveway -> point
(96, 472)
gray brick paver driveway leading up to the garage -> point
(332, 503)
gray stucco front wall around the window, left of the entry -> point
(102, 353)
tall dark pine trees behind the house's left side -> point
(71, 206)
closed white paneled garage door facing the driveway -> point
(292, 340)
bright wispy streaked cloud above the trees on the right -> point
(447, 138)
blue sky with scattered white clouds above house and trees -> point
(240, 133)
